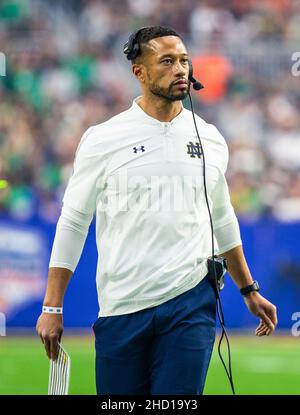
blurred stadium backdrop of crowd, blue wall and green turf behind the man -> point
(65, 71)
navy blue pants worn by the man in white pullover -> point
(164, 349)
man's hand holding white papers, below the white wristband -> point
(50, 328)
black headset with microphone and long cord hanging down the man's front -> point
(131, 49)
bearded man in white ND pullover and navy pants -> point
(156, 326)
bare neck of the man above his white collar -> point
(160, 108)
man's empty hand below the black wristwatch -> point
(262, 308)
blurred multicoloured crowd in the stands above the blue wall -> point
(65, 71)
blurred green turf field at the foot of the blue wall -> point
(260, 366)
